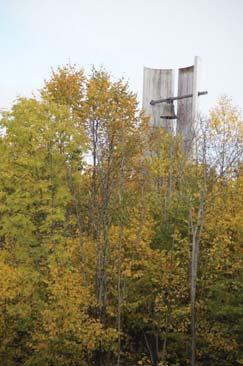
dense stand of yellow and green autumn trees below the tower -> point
(115, 247)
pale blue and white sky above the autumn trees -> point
(122, 36)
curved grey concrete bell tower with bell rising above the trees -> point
(159, 97)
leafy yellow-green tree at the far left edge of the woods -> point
(40, 143)
